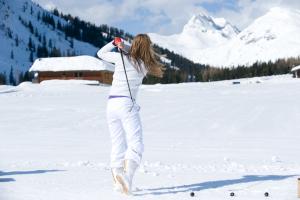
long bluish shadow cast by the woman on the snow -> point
(210, 185)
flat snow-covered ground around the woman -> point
(210, 138)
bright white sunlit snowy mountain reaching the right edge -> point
(272, 36)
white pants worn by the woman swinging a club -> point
(125, 131)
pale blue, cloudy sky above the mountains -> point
(164, 16)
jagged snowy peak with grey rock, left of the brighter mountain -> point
(202, 31)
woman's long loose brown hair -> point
(141, 50)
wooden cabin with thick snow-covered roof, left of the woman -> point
(67, 68)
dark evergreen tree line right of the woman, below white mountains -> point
(208, 73)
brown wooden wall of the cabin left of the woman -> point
(101, 76)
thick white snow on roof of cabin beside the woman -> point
(76, 63)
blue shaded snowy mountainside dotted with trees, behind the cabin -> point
(20, 24)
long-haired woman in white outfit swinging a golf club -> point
(122, 111)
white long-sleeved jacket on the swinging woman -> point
(119, 85)
